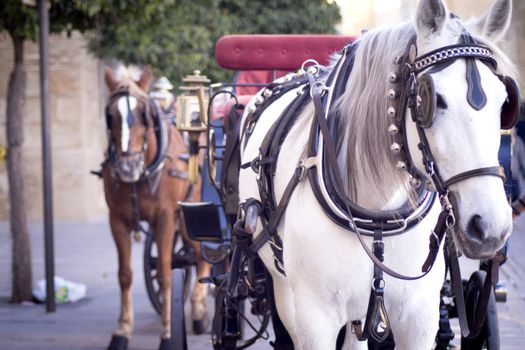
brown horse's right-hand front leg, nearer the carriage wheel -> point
(164, 233)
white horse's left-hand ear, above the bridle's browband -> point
(431, 17)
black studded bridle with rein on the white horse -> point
(408, 78)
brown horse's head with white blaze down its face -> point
(128, 117)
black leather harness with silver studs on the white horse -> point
(412, 89)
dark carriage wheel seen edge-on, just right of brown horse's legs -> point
(178, 324)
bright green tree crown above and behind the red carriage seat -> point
(182, 37)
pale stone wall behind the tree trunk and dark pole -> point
(77, 128)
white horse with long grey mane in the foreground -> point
(328, 275)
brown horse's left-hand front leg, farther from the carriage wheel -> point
(121, 235)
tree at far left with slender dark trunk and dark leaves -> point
(21, 23)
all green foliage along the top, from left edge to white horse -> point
(174, 36)
